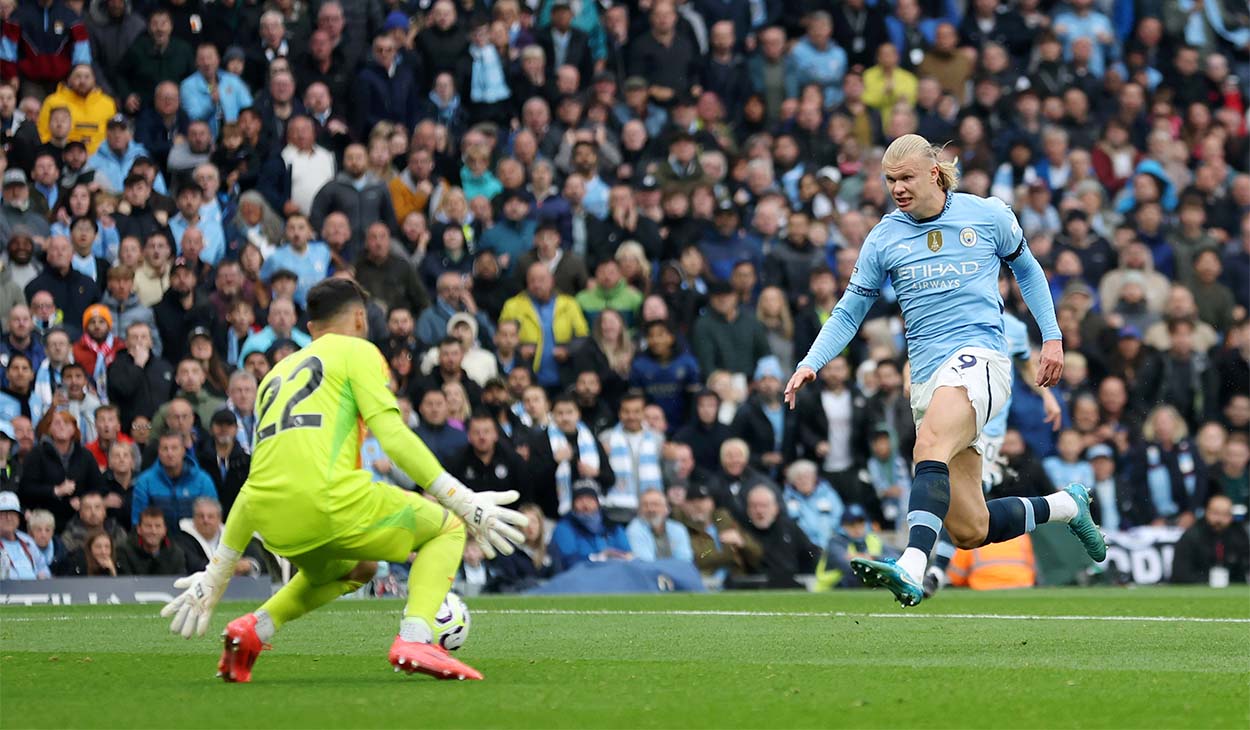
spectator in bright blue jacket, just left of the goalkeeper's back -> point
(169, 487)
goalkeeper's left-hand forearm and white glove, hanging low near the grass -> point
(193, 609)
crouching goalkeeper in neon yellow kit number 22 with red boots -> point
(311, 502)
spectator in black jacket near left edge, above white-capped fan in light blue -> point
(59, 471)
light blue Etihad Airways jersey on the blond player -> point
(946, 272)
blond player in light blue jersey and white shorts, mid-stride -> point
(943, 251)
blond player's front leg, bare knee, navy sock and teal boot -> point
(949, 424)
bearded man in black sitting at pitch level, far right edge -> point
(1214, 544)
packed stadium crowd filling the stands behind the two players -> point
(598, 236)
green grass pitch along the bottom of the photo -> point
(747, 661)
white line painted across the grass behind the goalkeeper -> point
(719, 613)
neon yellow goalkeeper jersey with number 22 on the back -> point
(307, 486)
